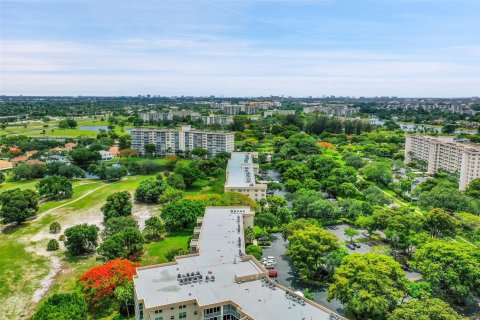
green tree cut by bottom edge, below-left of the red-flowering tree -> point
(63, 306)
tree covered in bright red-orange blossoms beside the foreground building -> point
(99, 283)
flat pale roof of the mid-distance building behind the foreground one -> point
(240, 170)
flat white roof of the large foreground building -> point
(220, 256)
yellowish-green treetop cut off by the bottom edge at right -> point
(425, 309)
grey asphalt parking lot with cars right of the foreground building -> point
(288, 277)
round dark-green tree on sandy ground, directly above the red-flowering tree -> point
(81, 238)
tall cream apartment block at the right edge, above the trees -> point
(447, 153)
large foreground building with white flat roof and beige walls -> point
(218, 281)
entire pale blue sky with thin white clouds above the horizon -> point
(405, 48)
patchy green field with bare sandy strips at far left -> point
(27, 270)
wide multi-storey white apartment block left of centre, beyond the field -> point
(171, 141)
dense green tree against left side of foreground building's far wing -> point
(182, 213)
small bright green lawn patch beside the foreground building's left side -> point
(154, 252)
